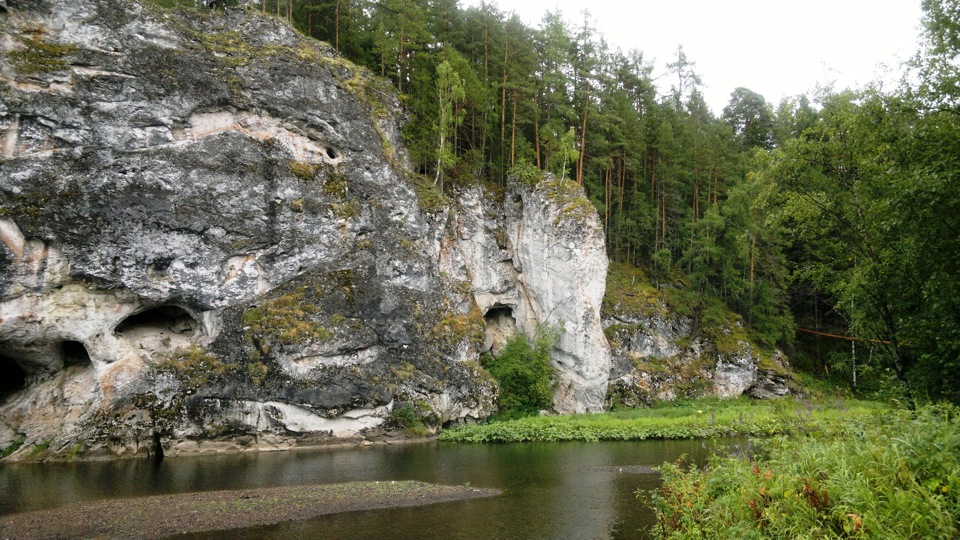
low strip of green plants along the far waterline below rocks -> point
(705, 418)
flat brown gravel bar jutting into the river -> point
(166, 515)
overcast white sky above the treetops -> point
(777, 48)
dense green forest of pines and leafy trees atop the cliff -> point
(835, 213)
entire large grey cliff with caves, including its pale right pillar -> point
(208, 242)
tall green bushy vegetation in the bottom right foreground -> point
(895, 476)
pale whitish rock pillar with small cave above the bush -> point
(534, 260)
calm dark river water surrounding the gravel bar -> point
(551, 490)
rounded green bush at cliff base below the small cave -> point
(522, 370)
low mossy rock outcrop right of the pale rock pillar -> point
(657, 355)
